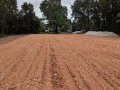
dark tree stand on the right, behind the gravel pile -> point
(98, 15)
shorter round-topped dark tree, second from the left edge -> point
(30, 23)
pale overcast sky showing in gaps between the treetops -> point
(36, 4)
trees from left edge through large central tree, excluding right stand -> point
(24, 21)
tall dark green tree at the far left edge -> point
(8, 9)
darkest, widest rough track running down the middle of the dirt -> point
(56, 74)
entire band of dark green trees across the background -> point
(97, 15)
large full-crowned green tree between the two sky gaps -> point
(55, 13)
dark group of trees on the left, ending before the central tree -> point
(14, 21)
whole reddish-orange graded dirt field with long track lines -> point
(60, 62)
